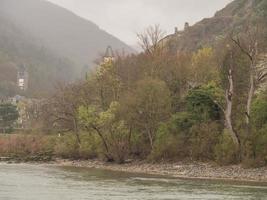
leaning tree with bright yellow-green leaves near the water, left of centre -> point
(113, 132)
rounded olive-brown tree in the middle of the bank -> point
(150, 106)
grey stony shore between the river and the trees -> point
(192, 170)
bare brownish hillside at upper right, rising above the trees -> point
(235, 16)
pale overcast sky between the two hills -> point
(125, 18)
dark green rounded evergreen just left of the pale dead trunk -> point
(203, 102)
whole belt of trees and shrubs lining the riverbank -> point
(162, 104)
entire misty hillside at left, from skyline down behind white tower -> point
(53, 44)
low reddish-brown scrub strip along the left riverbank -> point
(42, 147)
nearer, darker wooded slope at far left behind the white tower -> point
(44, 67)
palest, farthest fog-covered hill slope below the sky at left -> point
(60, 30)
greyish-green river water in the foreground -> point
(35, 182)
